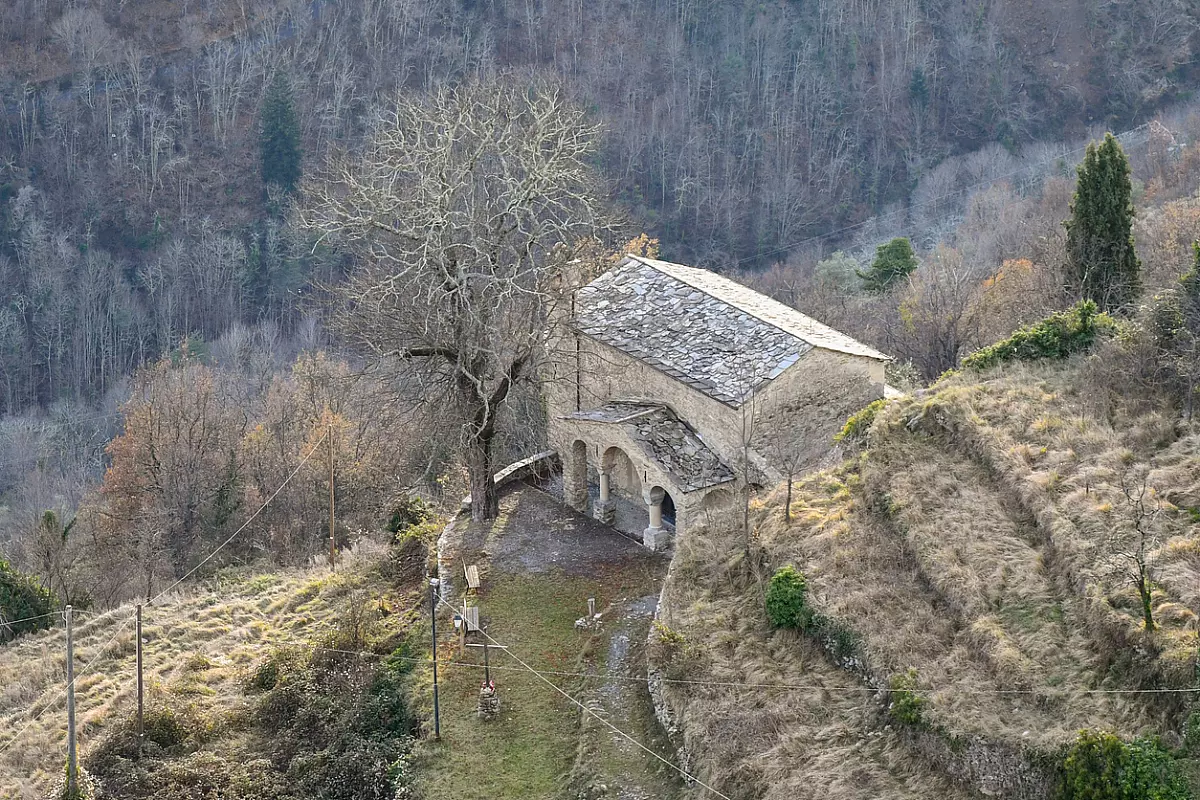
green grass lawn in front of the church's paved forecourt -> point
(530, 750)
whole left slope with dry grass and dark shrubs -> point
(256, 683)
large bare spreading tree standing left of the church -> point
(463, 210)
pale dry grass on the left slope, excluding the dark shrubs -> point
(199, 643)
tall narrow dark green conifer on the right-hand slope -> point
(1102, 264)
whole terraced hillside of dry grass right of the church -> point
(976, 555)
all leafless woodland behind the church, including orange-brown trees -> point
(777, 141)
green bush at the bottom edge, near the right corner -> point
(1102, 767)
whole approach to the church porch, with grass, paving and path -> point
(539, 563)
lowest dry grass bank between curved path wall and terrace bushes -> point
(824, 739)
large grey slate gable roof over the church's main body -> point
(700, 328)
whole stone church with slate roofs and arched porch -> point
(674, 389)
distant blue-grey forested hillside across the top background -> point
(134, 209)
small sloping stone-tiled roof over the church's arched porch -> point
(667, 441)
